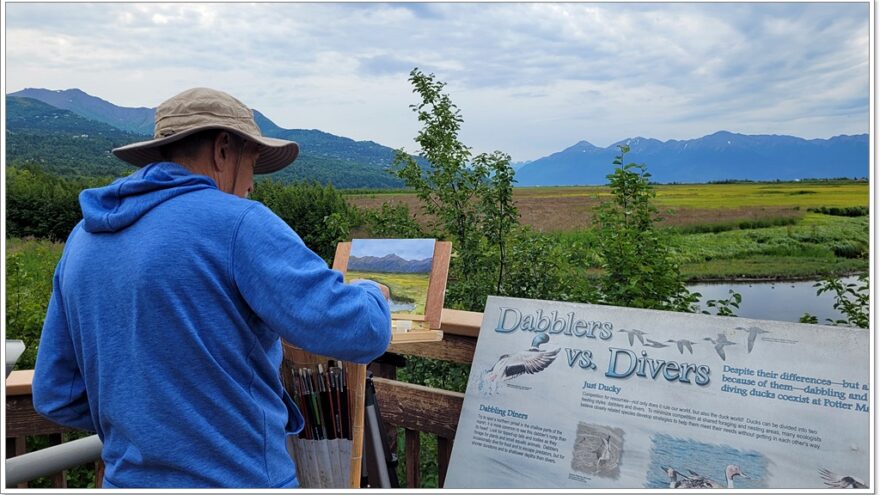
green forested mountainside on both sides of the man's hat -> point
(72, 145)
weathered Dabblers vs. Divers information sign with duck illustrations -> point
(565, 395)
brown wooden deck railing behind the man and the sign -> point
(414, 408)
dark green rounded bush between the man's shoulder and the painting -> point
(318, 214)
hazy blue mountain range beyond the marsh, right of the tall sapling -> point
(716, 157)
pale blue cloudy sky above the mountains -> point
(529, 79)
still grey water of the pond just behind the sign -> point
(782, 301)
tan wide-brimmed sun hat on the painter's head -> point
(200, 109)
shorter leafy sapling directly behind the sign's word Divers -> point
(640, 269)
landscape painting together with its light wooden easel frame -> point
(415, 272)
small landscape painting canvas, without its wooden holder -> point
(403, 265)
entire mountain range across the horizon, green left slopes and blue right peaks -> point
(70, 132)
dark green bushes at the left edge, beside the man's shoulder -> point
(43, 205)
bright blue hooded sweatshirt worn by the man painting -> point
(163, 331)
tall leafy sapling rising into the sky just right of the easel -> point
(470, 199)
